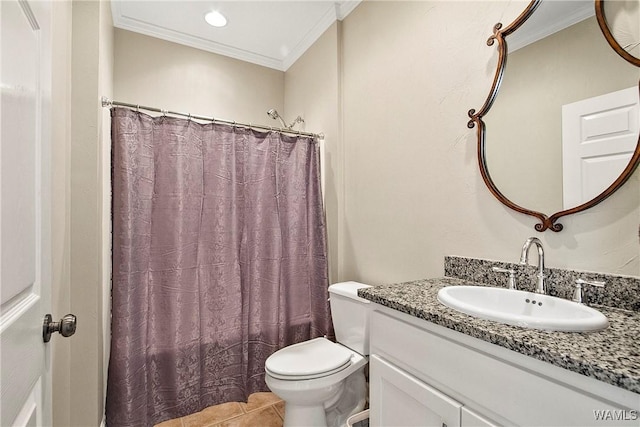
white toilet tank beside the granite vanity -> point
(350, 315)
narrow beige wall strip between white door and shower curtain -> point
(91, 64)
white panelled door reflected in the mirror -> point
(599, 136)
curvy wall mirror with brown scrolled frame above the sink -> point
(562, 133)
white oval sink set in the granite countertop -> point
(520, 308)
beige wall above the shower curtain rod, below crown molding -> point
(157, 73)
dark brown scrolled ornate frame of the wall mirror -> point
(499, 35)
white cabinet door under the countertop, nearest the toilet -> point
(398, 399)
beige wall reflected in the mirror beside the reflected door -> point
(524, 144)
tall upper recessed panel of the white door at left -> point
(19, 88)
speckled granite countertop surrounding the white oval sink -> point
(611, 355)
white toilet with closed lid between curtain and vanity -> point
(321, 382)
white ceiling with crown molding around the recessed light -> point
(270, 33)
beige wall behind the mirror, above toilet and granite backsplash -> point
(412, 190)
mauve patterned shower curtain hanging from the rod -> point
(219, 259)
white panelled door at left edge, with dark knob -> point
(25, 103)
